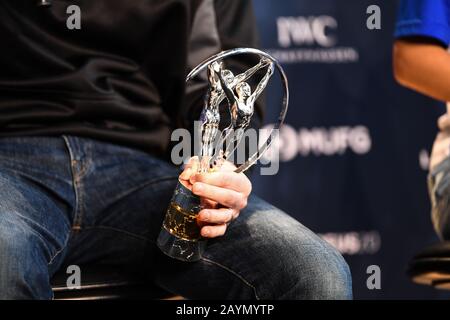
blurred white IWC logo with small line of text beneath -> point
(311, 39)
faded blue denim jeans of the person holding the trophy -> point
(69, 200)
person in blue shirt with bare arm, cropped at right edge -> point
(422, 63)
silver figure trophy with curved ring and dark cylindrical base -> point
(180, 236)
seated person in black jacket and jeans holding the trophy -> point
(85, 123)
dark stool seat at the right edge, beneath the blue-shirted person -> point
(432, 266)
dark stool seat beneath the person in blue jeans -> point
(100, 283)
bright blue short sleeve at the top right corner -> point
(429, 18)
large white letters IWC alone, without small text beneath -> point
(311, 30)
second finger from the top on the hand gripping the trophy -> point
(226, 197)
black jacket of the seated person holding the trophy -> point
(120, 78)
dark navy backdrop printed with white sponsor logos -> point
(356, 145)
